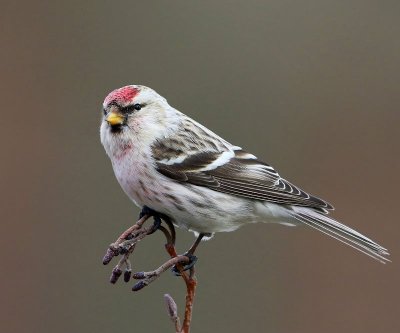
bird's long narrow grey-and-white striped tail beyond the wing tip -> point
(340, 232)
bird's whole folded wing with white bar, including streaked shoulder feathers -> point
(228, 169)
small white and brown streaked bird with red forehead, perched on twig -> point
(168, 162)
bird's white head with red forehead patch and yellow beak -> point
(136, 114)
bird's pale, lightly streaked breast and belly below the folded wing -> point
(189, 206)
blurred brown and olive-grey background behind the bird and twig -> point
(311, 87)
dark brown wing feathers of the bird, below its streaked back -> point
(241, 176)
